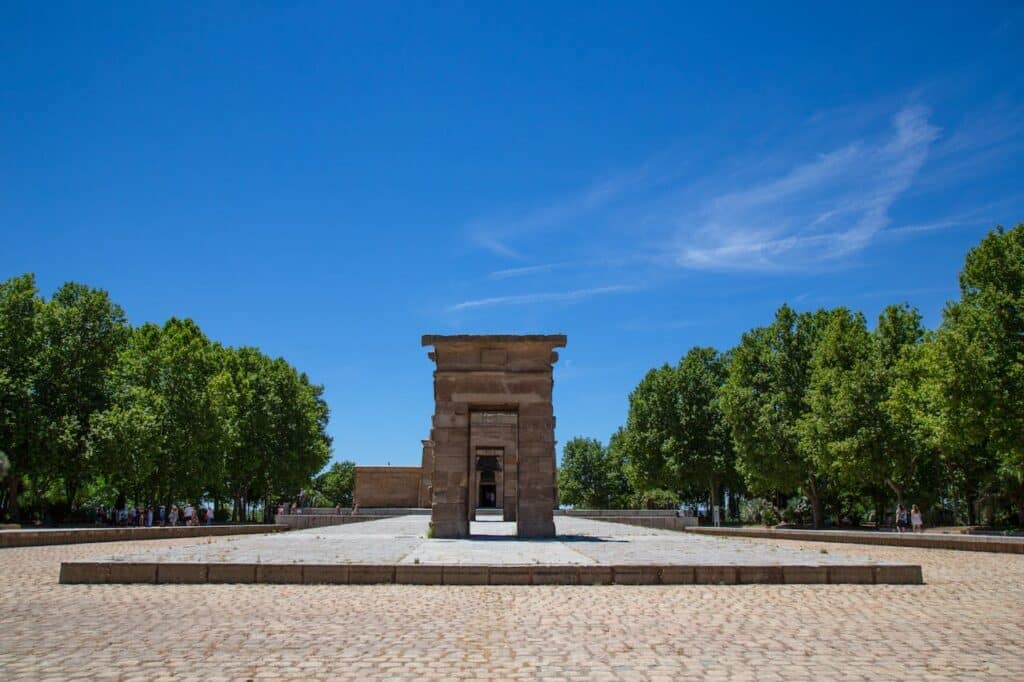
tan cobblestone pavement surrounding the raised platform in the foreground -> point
(967, 623)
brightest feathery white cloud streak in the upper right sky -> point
(819, 211)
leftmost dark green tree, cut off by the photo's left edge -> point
(21, 345)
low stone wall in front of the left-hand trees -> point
(36, 537)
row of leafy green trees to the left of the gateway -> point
(94, 411)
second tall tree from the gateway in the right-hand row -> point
(764, 400)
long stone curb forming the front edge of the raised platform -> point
(82, 573)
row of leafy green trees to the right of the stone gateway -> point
(850, 418)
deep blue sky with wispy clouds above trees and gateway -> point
(330, 182)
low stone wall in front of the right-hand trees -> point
(922, 540)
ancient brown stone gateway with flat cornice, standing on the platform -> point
(493, 440)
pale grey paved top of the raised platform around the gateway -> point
(404, 540)
